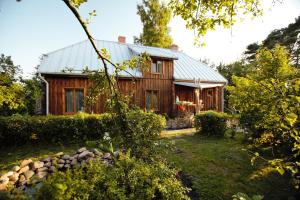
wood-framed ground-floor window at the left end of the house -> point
(74, 100)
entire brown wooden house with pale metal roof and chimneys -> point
(174, 78)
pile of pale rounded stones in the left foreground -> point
(30, 171)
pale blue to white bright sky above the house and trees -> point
(31, 28)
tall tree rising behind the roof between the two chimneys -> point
(155, 17)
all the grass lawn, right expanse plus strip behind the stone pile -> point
(218, 168)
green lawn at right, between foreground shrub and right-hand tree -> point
(220, 168)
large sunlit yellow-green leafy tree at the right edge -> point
(268, 100)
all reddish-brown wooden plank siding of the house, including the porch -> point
(161, 82)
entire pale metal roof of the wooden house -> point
(81, 55)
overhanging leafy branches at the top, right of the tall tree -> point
(205, 15)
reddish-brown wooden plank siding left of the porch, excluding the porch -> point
(162, 82)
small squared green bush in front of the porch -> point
(211, 123)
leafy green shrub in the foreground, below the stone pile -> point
(128, 178)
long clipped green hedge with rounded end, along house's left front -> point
(22, 130)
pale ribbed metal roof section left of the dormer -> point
(81, 55)
